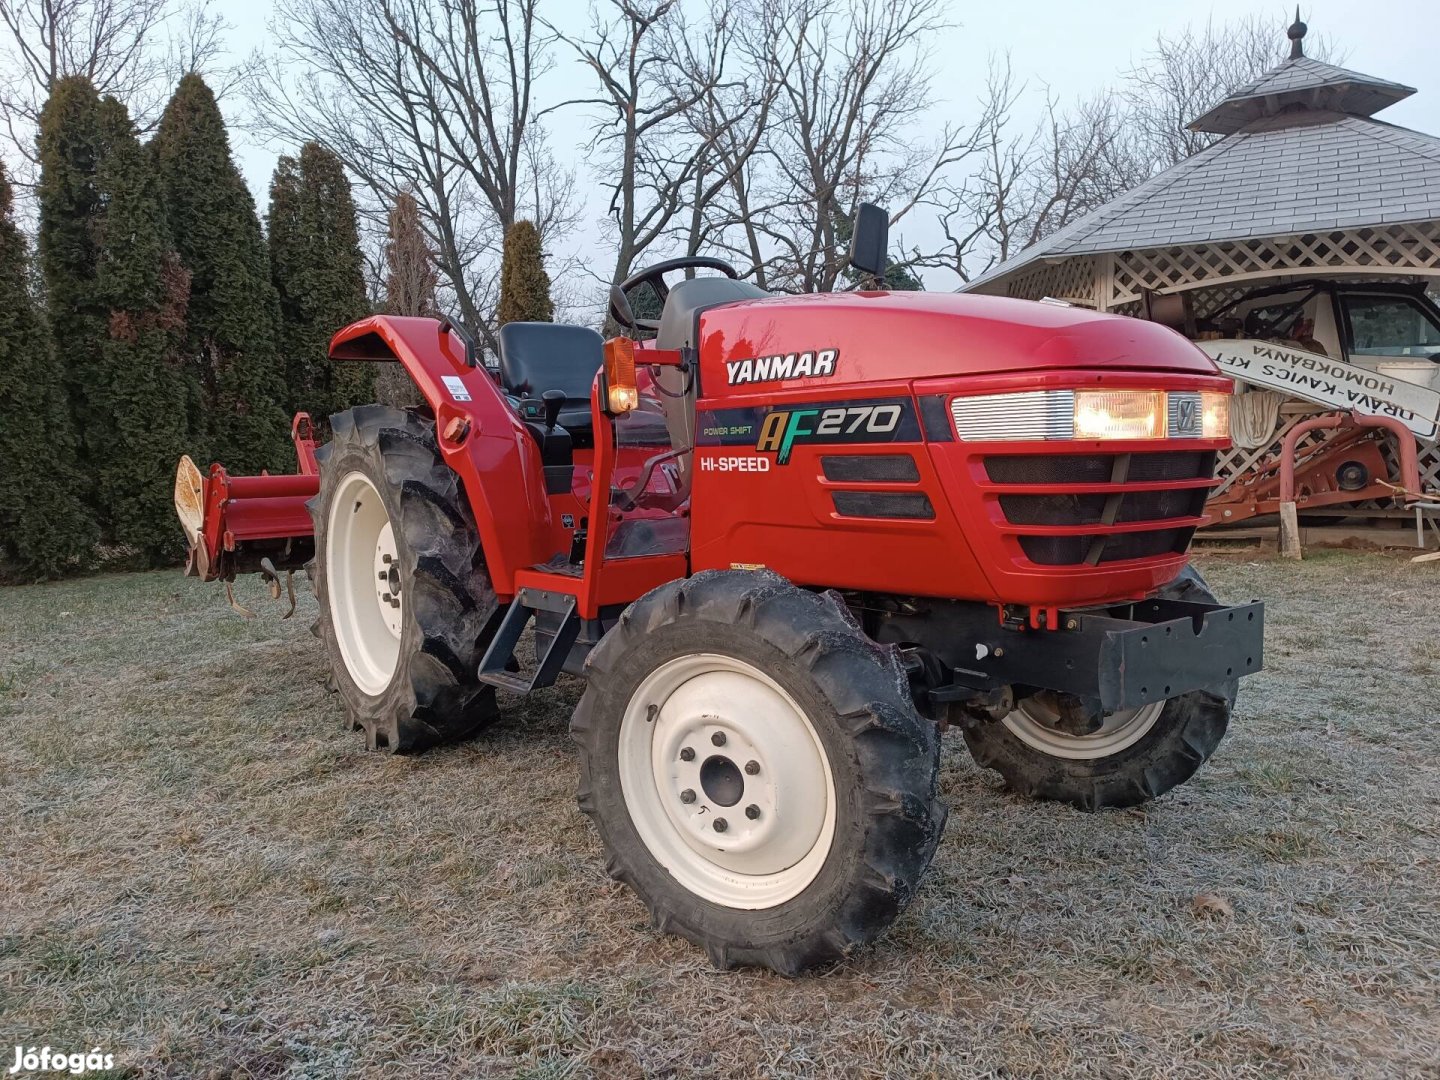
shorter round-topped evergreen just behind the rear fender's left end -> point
(319, 273)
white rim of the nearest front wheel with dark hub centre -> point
(768, 758)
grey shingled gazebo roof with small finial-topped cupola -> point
(1301, 155)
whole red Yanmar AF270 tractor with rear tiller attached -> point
(786, 539)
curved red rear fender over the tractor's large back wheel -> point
(479, 434)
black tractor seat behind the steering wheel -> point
(551, 356)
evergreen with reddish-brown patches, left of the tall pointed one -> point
(145, 390)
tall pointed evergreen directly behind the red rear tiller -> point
(234, 315)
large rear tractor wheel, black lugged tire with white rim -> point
(400, 574)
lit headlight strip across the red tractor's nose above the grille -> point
(1038, 415)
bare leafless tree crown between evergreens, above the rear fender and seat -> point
(436, 97)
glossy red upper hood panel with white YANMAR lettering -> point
(859, 338)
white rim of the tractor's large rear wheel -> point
(366, 604)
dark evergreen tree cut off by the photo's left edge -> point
(44, 525)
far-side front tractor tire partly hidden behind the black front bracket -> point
(1137, 757)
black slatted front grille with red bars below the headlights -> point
(1102, 509)
